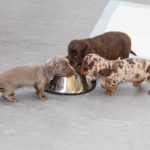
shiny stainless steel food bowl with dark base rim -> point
(72, 85)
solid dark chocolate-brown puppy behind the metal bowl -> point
(110, 45)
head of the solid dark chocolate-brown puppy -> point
(76, 50)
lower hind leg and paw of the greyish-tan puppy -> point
(9, 95)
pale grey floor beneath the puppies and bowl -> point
(32, 32)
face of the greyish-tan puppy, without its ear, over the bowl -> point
(63, 68)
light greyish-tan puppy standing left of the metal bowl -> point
(37, 76)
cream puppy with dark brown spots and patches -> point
(135, 70)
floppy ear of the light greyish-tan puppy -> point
(50, 68)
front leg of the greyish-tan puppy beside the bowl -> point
(40, 91)
